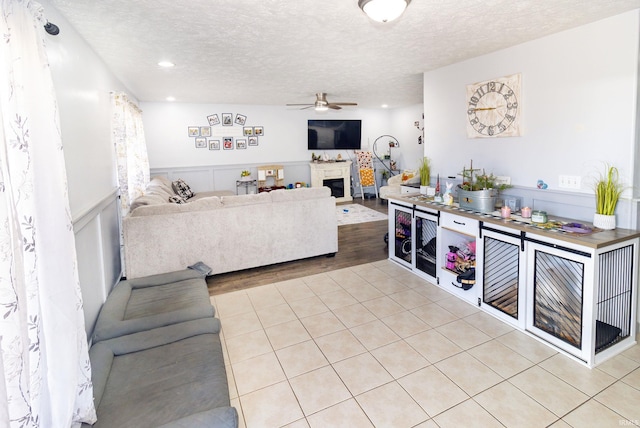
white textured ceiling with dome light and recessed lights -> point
(269, 52)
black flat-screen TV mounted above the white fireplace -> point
(334, 134)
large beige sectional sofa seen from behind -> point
(230, 232)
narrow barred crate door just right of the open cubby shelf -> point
(503, 276)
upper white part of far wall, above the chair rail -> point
(284, 140)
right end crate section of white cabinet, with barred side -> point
(582, 300)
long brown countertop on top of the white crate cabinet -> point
(594, 240)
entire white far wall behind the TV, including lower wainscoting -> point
(173, 153)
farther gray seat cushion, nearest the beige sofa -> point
(154, 301)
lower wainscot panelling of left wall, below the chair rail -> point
(98, 247)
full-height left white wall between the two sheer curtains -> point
(83, 85)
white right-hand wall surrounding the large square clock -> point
(579, 91)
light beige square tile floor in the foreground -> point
(375, 346)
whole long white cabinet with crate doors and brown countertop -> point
(576, 293)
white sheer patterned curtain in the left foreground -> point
(46, 376)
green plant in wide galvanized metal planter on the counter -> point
(477, 191)
